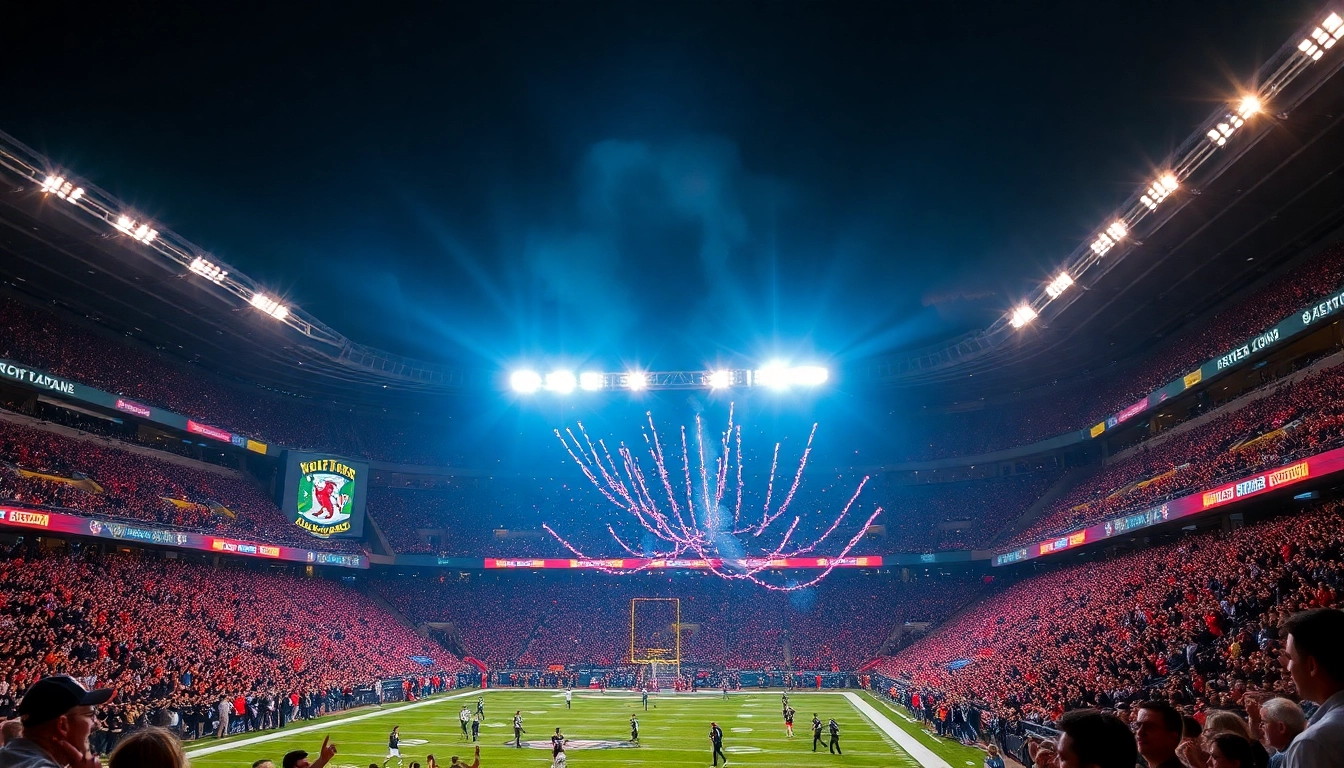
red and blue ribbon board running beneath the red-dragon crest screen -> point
(97, 528)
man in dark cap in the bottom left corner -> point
(58, 718)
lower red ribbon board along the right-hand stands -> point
(1185, 506)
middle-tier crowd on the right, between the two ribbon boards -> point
(1296, 420)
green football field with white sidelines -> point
(675, 732)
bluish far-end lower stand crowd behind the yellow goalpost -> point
(534, 621)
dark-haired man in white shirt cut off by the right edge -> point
(1315, 658)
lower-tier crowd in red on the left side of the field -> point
(174, 634)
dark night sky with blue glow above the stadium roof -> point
(666, 184)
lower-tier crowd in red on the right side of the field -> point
(1194, 622)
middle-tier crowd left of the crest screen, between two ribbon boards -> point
(95, 477)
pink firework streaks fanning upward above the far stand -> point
(689, 517)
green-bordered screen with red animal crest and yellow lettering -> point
(325, 494)
